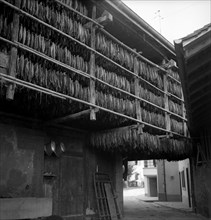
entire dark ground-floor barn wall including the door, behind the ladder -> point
(67, 179)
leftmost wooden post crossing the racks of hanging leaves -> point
(13, 53)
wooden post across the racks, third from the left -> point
(137, 91)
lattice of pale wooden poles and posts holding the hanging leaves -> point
(15, 44)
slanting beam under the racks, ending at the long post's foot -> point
(72, 116)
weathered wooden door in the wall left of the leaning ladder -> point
(71, 187)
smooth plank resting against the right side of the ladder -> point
(111, 201)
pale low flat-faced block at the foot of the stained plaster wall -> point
(25, 208)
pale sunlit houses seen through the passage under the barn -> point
(169, 181)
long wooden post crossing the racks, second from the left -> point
(92, 67)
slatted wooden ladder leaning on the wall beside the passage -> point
(107, 203)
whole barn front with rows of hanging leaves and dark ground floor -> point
(83, 85)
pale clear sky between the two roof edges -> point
(174, 19)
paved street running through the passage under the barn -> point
(137, 206)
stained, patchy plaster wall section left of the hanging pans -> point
(21, 163)
